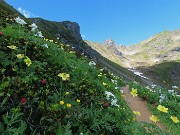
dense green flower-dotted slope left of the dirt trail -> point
(31, 94)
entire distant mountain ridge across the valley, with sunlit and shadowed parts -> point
(163, 47)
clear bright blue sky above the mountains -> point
(125, 21)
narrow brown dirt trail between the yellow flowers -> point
(137, 104)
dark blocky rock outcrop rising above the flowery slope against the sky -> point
(65, 31)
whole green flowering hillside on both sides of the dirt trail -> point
(48, 87)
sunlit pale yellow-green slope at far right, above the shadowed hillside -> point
(155, 49)
